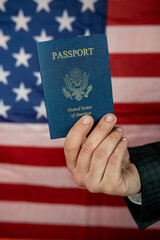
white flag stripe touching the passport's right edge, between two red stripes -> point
(140, 90)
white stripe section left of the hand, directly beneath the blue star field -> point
(15, 134)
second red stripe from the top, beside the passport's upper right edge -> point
(135, 65)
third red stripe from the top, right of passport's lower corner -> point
(145, 113)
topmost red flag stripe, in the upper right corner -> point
(132, 12)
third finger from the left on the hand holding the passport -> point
(101, 155)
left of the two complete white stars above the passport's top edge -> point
(21, 21)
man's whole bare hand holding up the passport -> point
(100, 161)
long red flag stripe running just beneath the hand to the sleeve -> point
(13, 192)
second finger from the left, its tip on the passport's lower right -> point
(99, 133)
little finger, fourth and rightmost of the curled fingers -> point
(113, 173)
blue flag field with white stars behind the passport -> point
(22, 24)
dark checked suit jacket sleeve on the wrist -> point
(147, 160)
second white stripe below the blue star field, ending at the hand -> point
(38, 176)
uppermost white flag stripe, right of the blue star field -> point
(133, 39)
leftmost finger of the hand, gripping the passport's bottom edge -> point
(74, 139)
